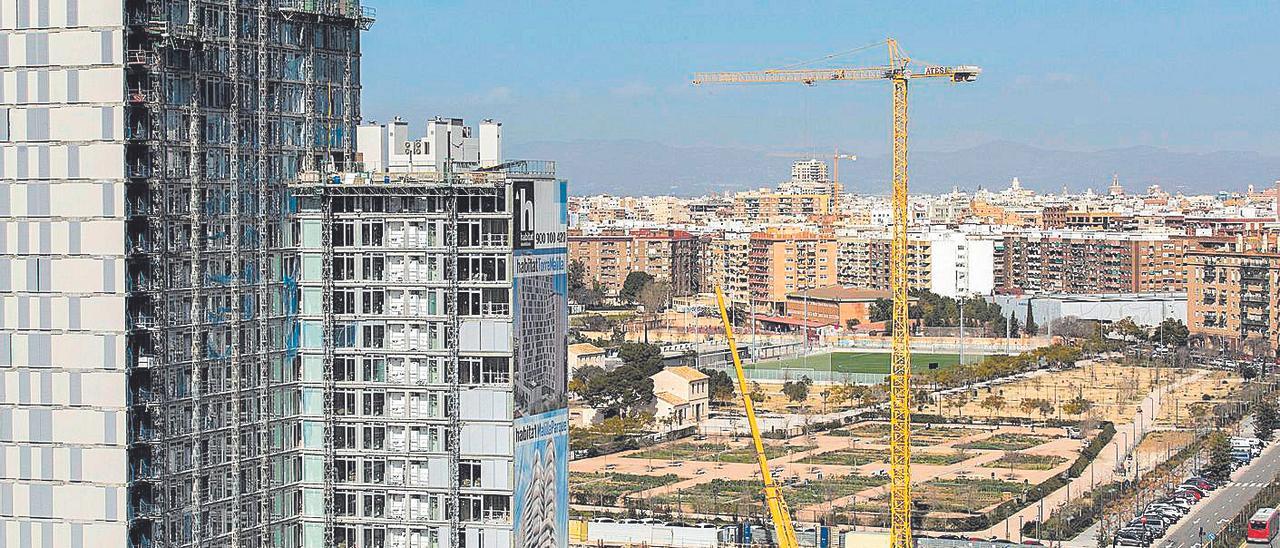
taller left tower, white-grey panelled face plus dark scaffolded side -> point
(147, 148)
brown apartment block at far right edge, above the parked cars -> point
(1232, 294)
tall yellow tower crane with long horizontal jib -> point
(899, 71)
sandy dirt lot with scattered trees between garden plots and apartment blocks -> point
(1113, 390)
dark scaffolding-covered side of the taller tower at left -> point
(218, 94)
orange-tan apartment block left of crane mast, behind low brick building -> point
(783, 262)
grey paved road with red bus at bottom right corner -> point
(1227, 501)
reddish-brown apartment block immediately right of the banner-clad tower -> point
(666, 254)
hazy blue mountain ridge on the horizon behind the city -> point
(638, 168)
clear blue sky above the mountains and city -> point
(1082, 76)
